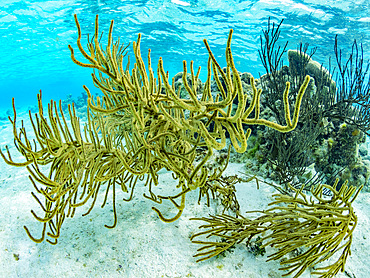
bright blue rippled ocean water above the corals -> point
(34, 36)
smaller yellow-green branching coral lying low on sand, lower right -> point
(322, 227)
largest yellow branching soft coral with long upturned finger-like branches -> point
(139, 126)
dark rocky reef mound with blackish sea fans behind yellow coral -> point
(334, 115)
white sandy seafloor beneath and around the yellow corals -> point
(141, 245)
